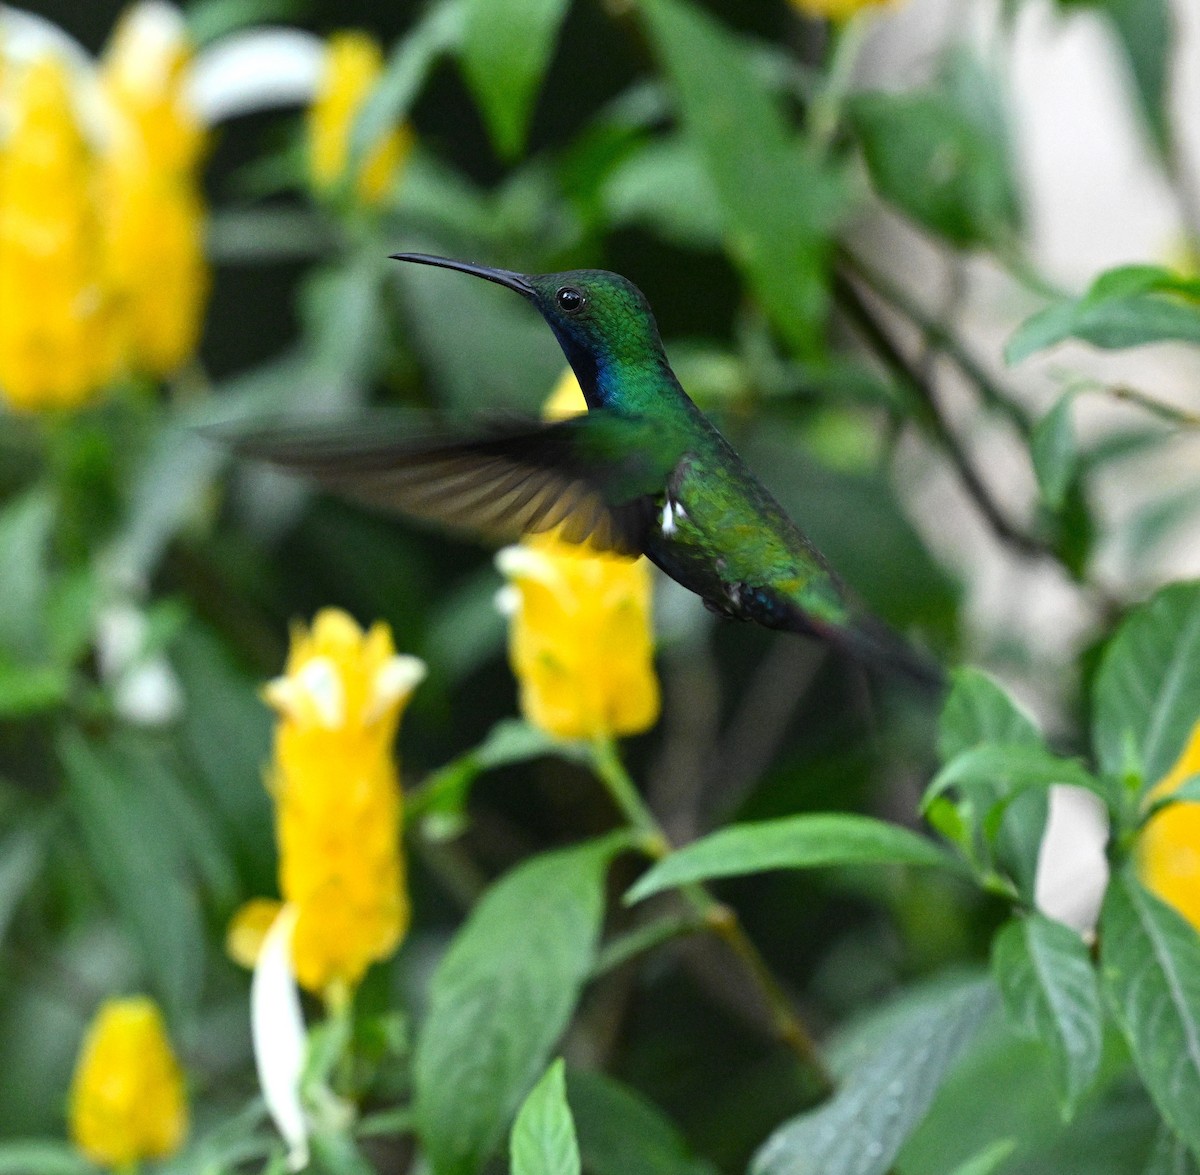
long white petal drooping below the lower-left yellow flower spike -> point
(279, 1035)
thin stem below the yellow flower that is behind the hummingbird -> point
(718, 918)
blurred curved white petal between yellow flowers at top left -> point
(256, 70)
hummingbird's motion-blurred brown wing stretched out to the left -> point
(595, 477)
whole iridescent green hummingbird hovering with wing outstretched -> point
(643, 472)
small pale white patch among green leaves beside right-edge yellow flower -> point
(1073, 871)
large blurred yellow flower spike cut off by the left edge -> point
(57, 341)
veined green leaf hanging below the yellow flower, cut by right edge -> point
(1151, 967)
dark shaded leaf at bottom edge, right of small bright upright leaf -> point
(622, 1134)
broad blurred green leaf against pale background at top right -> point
(943, 160)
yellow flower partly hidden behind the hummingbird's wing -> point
(580, 636)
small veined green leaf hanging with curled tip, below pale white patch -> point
(1052, 994)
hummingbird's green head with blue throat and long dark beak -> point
(602, 321)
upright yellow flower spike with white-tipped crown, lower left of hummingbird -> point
(338, 804)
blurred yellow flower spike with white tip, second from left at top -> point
(151, 191)
